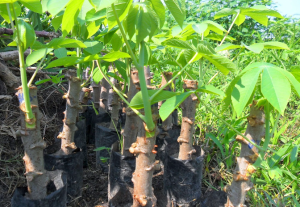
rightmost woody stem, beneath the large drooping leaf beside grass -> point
(236, 192)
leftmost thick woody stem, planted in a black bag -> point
(36, 176)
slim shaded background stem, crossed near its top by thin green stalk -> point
(115, 105)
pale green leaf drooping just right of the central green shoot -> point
(171, 104)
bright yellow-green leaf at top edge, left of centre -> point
(70, 16)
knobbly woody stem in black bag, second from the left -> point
(67, 135)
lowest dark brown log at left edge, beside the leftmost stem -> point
(10, 80)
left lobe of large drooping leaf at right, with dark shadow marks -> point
(243, 90)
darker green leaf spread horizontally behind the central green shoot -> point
(137, 101)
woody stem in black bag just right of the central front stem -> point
(188, 106)
